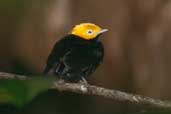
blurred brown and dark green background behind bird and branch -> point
(137, 49)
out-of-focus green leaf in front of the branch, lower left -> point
(19, 92)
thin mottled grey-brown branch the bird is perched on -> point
(98, 91)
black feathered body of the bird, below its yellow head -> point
(73, 58)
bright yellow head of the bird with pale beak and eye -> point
(87, 31)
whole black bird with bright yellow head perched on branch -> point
(77, 55)
